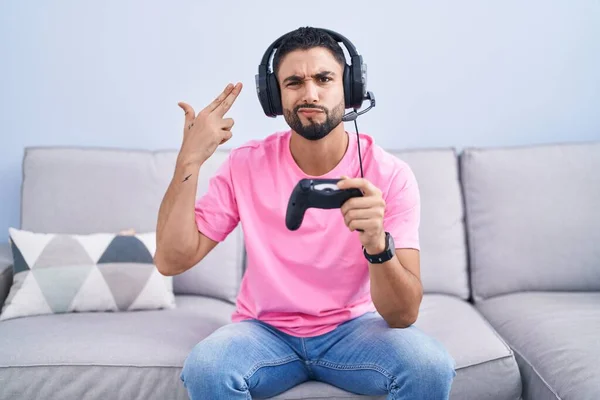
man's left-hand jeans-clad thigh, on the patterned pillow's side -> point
(240, 358)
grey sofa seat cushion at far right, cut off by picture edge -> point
(556, 340)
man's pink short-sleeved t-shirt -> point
(308, 281)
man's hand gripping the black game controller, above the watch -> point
(365, 213)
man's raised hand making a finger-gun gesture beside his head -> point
(203, 133)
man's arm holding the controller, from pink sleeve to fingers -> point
(396, 288)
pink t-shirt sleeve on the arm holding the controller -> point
(403, 209)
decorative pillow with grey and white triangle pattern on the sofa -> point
(64, 273)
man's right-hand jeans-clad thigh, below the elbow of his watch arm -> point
(366, 356)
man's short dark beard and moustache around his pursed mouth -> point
(314, 130)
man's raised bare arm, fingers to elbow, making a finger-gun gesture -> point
(179, 243)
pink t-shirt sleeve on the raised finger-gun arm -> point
(216, 210)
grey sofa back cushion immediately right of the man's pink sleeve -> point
(442, 230)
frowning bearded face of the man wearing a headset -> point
(312, 92)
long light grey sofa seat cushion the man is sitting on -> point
(140, 355)
